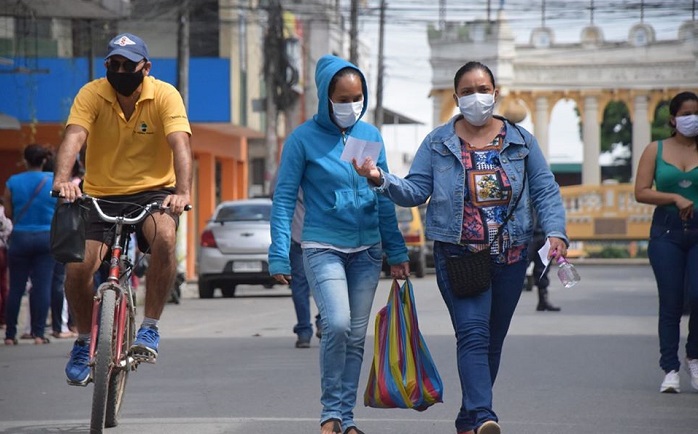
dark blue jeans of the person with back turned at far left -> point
(29, 258)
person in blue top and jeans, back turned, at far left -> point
(30, 206)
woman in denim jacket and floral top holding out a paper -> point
(474, 168)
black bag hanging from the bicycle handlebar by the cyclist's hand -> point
(68, 232)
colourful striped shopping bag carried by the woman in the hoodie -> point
(403, 374)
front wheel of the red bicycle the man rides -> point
(103, 360)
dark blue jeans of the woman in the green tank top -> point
(673, 253)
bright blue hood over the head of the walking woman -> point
(327, 67)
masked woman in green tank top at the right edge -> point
(667, 176)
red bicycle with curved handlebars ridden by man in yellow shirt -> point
(113, 322)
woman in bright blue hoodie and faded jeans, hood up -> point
(346, 229)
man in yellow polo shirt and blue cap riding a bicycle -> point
(136, 133)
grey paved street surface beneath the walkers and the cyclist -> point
(229, 366)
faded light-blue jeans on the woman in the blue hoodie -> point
(343, 286)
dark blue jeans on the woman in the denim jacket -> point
(481, 324)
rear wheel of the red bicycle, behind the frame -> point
(119, 375)
